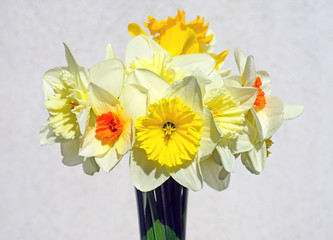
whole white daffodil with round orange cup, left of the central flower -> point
(109, 139)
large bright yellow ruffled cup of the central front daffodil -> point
(170, 133)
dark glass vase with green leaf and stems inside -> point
(162, 212)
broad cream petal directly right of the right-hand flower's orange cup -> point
(271, 116)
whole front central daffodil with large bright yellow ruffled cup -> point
(173, 135)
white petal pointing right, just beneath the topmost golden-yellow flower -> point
(204, 62)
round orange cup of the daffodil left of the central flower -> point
(108, 126)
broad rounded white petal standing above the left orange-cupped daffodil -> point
(109, 75)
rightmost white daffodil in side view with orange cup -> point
(267, 114)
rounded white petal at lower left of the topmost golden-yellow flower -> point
(142, 47)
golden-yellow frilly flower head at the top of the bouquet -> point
(176, 36)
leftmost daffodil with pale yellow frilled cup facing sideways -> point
(65, 99)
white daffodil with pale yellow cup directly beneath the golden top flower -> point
(143, 52)
